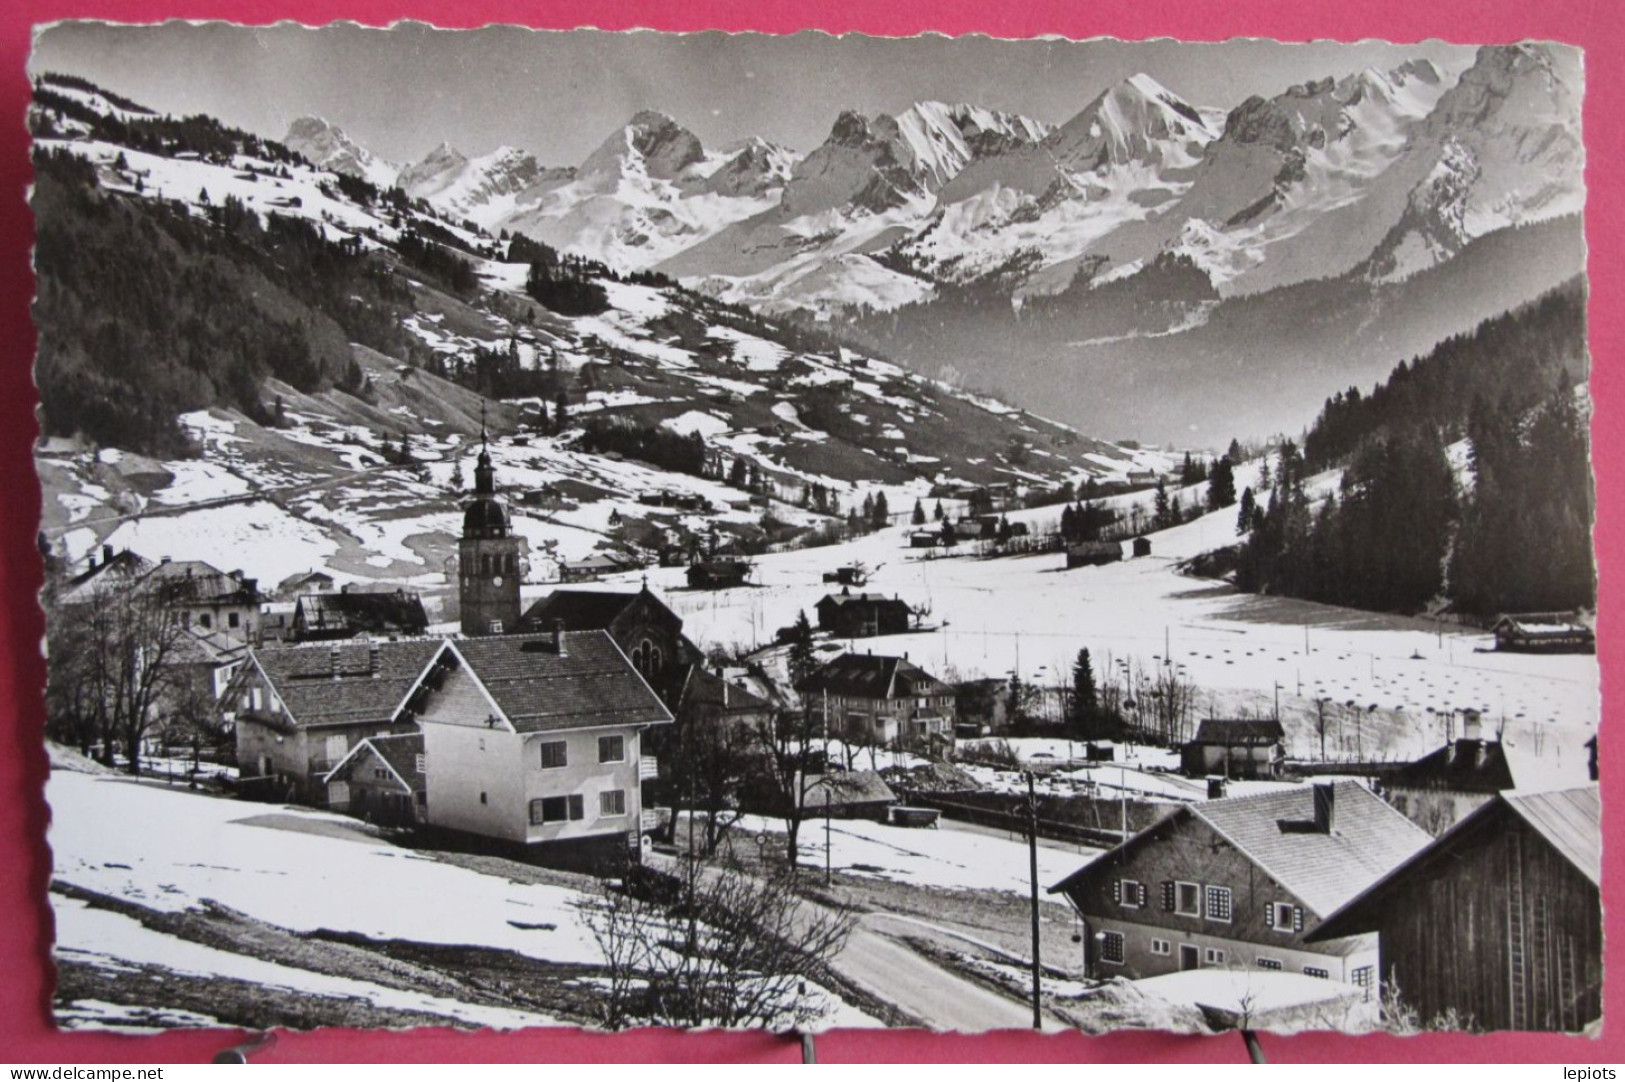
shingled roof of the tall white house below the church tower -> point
(539, 688)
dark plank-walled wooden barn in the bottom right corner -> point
(1499, 920)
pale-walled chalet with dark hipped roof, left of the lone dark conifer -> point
(883, 701)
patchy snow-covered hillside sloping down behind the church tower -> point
(363, 480)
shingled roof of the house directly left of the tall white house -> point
(334, 683)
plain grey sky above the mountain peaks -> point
(560, 95)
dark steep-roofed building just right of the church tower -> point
(646, 630)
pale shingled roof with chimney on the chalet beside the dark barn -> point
(1275, 831)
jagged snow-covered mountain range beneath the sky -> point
(1393, 171)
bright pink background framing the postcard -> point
(25, 992)
